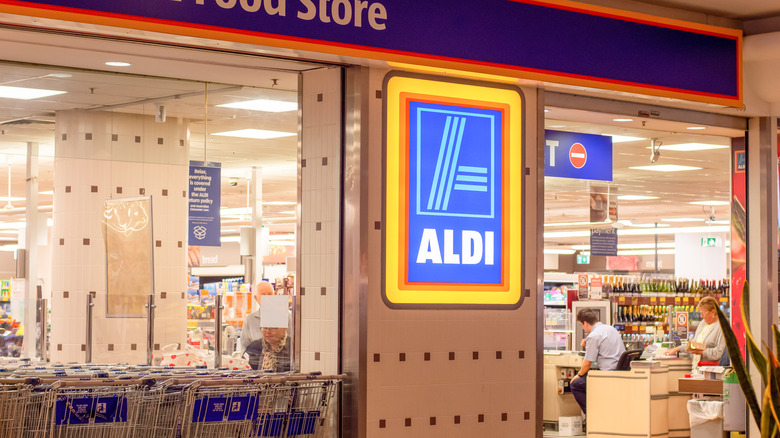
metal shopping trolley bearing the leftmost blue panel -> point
(90, 408)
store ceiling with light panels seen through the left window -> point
(155, 79)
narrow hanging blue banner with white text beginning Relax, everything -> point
(204, 203)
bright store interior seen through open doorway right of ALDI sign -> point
(638, 229)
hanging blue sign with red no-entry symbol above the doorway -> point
(576, 155)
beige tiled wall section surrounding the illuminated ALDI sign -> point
(448, 373)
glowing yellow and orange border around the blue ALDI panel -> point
(395, 292)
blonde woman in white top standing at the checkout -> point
(708, 343)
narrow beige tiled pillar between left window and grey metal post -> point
(320, 224)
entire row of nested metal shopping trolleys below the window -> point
(166, 406)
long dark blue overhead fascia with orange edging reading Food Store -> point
(571, 43)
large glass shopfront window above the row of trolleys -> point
(174, 187)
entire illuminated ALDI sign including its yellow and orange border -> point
(453, 185)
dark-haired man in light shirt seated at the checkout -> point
(603, 346)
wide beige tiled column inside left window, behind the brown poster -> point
(100, 156)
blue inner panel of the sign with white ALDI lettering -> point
(455, 190)
